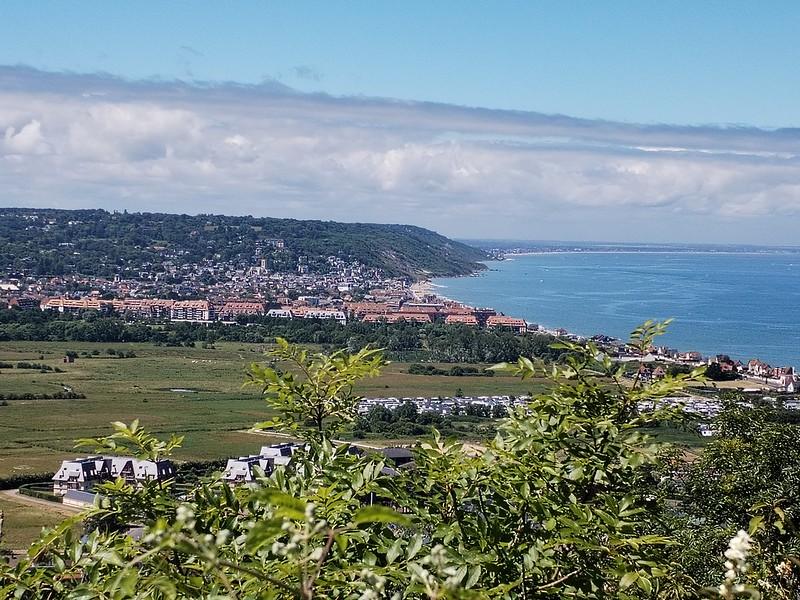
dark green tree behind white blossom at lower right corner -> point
(747, 478)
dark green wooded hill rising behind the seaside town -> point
(97, 242)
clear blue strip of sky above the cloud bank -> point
(644, 61)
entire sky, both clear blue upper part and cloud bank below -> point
(109, 104)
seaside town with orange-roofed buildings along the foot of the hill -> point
(342, 291)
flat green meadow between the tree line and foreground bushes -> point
(35, 435)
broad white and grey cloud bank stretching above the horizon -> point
(71, 140)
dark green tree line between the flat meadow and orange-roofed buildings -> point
(433, 342)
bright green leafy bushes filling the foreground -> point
(570, 500)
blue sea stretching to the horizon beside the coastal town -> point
(744, 303)
